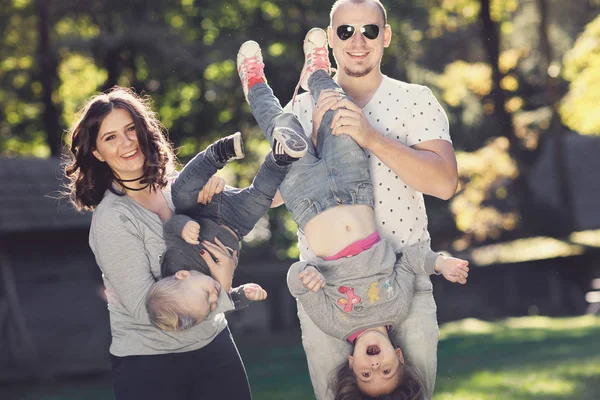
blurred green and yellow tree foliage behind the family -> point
(182, 53)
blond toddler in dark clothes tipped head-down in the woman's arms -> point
(203, 241)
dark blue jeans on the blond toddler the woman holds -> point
(238, 209)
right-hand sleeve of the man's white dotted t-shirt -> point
(426, 119)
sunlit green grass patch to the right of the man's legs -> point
(520, 359)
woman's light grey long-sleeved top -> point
(127, 241)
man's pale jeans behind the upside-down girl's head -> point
(417, 336)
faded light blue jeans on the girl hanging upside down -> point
(334, 173)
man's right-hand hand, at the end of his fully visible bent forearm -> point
(351, 120)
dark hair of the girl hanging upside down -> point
(410, 386)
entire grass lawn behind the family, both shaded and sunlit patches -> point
(530, 358)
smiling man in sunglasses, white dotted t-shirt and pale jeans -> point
(405, 133)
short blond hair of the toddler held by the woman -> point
(164, 306)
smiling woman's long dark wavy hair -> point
(87, 177)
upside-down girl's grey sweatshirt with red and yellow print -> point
(364, 291)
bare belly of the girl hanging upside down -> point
(336, 228)
